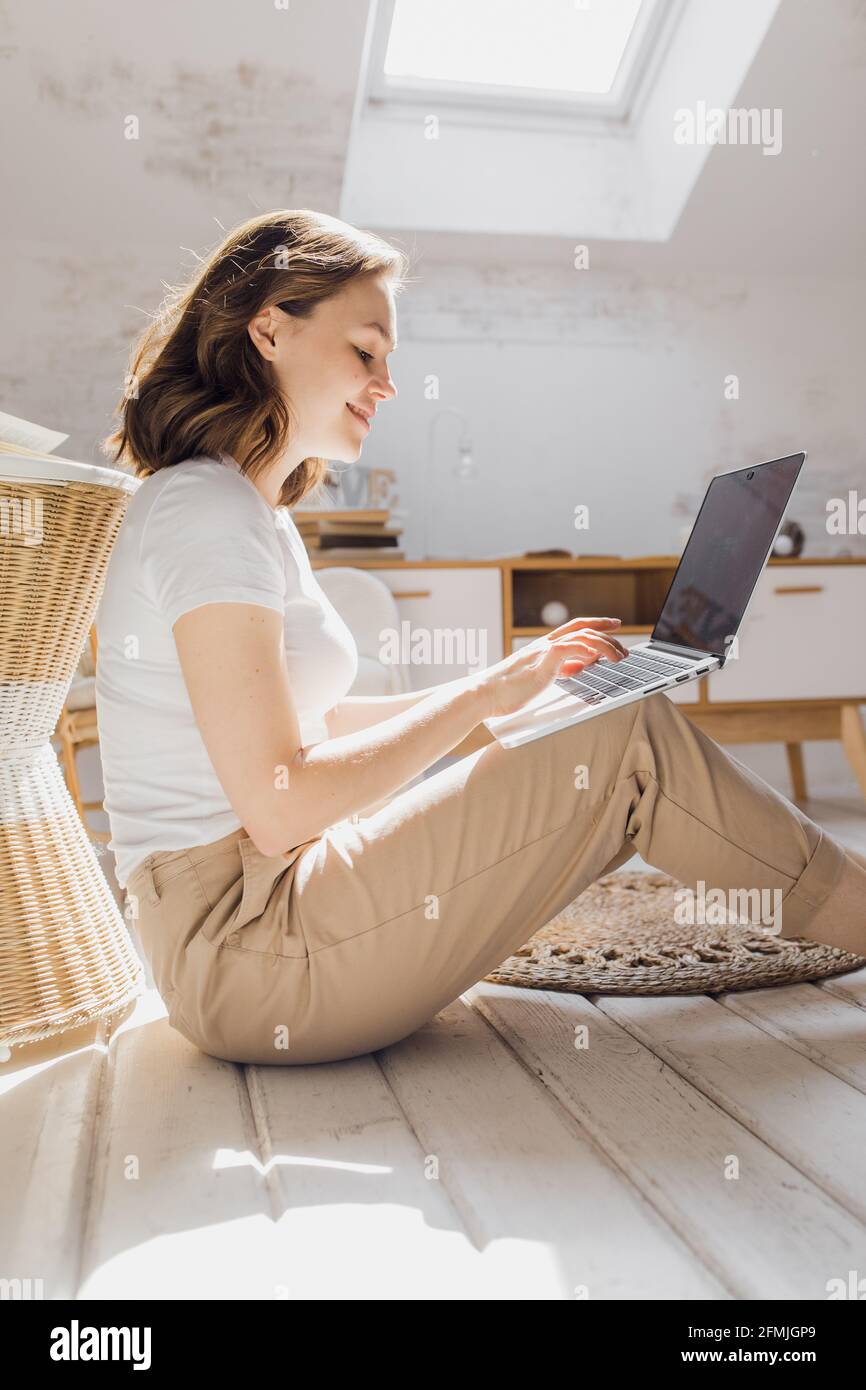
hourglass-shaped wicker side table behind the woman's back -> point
(66, 956)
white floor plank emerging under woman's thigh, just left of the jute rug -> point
(526, 1177)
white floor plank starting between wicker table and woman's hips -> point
(177, 1206)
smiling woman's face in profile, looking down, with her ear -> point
(333, 368)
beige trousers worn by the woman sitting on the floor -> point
(354, 940)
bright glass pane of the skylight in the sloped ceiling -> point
(533, 47)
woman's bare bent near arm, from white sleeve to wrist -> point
(233, 658)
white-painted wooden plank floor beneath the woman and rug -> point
(703, 1147)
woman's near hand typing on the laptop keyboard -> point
(568, 650)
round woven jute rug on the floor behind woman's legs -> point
(625, 936)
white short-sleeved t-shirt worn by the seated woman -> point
(197, 533)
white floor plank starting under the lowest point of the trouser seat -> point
(358, 1213)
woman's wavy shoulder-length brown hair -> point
(198, 384)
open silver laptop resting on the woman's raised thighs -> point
(729, 547)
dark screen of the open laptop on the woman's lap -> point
(725, 555)
